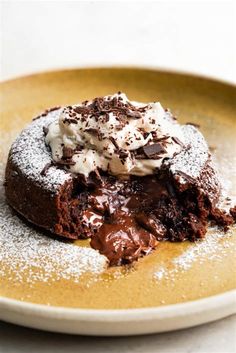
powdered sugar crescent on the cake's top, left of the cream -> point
(31, 161)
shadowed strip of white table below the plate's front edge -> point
(218, 337)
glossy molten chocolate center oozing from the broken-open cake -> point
(126, 218)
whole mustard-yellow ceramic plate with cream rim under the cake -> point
(152, 295)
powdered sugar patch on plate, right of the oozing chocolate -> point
(211, 248)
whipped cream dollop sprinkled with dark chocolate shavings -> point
(115, 135)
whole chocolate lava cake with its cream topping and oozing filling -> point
(125, 174)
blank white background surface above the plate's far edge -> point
(195, 36)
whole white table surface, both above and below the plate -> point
(184, 35)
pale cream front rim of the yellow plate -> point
(145, 313)
